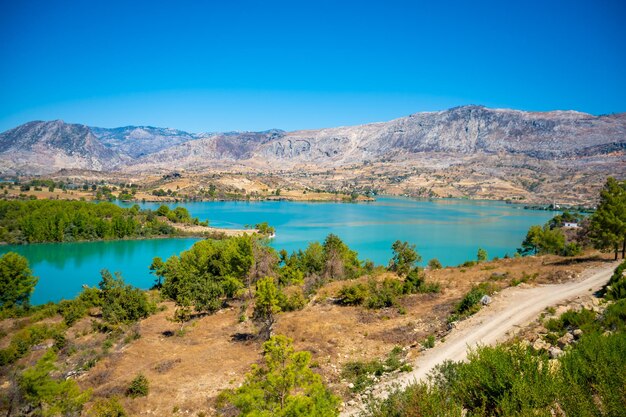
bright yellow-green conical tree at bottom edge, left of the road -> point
(284, 386)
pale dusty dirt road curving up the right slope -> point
(513, 307)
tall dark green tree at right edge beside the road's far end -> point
(608, 223)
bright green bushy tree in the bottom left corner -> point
(50, 396)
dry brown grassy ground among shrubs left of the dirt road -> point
(187, 371)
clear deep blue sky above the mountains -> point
(254, 65)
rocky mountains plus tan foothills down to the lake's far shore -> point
(468, 151)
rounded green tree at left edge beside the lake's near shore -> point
(16, 280)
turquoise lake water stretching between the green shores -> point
(450, 230)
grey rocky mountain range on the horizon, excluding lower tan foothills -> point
(431, 139)
